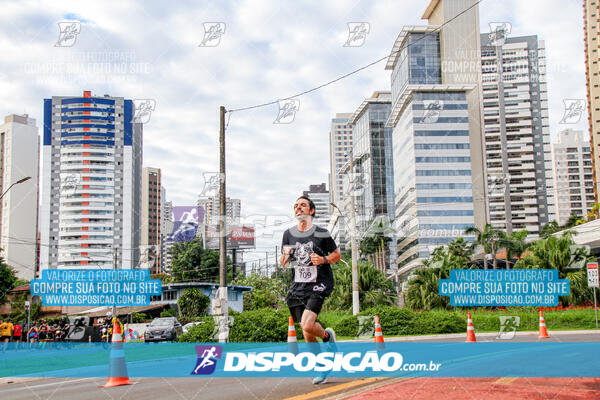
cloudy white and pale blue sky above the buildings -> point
(269, 50)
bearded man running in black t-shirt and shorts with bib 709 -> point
(310, 249)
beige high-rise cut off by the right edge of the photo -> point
(591, 10)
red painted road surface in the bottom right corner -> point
(488, 389)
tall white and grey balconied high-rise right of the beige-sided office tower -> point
(517, 135)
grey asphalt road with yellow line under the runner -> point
(234, 388)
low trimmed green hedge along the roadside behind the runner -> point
(270, 325)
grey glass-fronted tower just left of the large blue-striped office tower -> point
(373, 164)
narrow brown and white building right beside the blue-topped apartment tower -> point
(151, 220)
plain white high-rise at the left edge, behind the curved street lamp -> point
(19, 158)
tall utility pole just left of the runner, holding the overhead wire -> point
(223, 309)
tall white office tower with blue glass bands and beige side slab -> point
(437, 133)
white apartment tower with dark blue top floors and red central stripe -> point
(91, 183)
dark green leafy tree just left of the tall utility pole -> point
(191, 261)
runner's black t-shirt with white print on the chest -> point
(315, 240)
